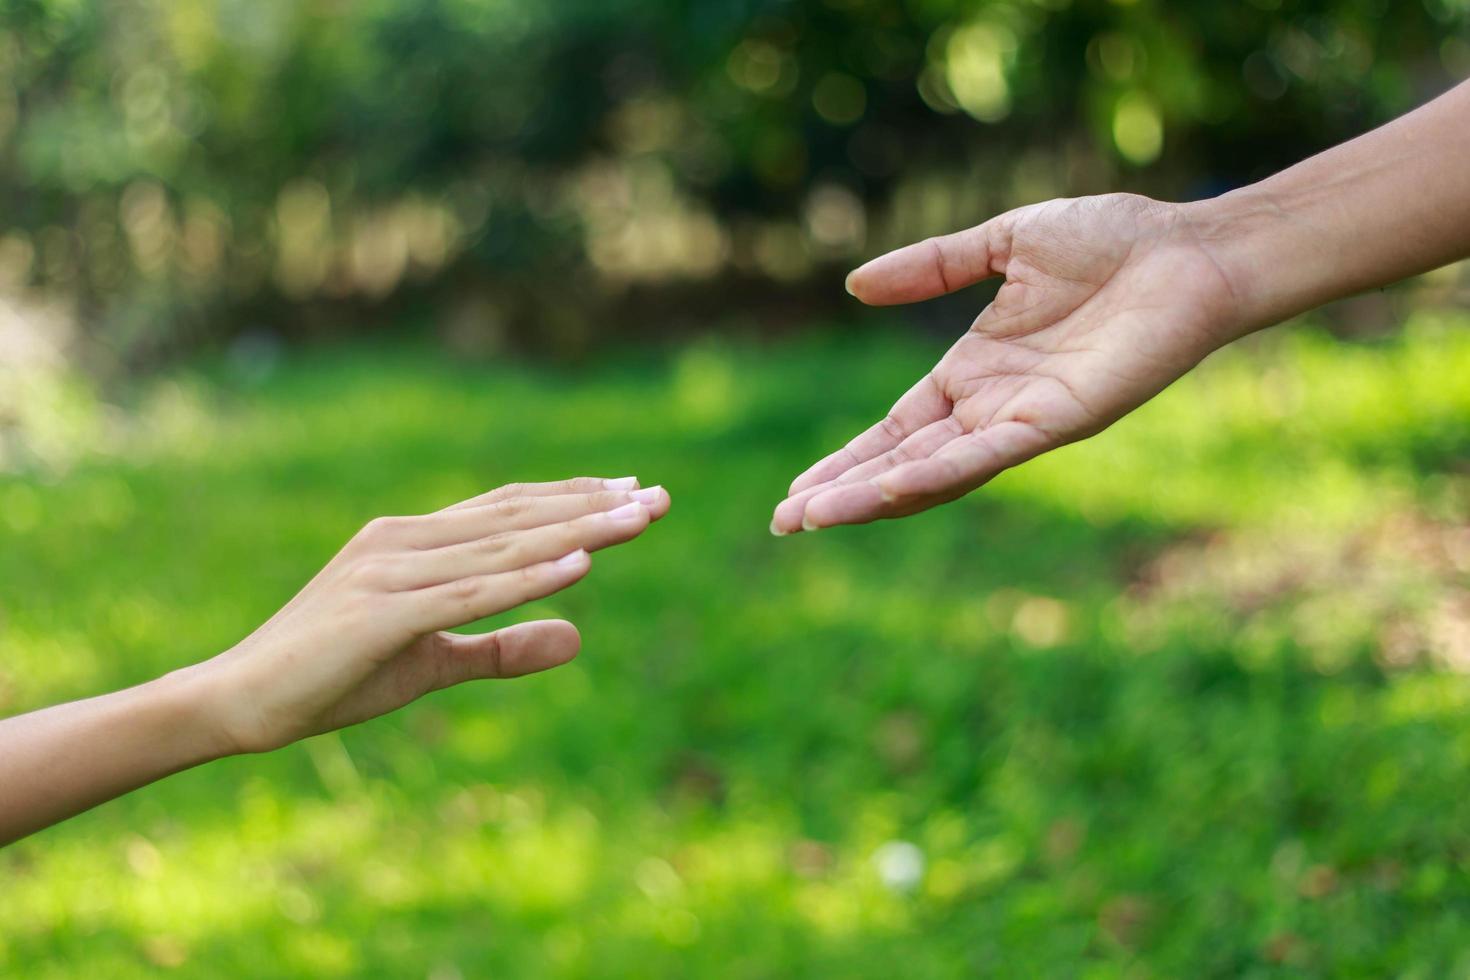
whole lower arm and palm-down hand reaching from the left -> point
(364, 638)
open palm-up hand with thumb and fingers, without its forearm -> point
(1108, 300)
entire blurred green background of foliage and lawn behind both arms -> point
(1186, 700)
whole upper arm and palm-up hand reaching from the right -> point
(1109, 300)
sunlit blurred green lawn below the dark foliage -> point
(1178, 702)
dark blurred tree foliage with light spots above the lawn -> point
(187, 171)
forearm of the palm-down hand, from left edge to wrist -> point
(64, 760)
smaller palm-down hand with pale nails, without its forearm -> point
(365, 637)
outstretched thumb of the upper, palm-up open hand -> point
(934, 267)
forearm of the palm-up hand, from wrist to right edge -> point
(1385, 206)
